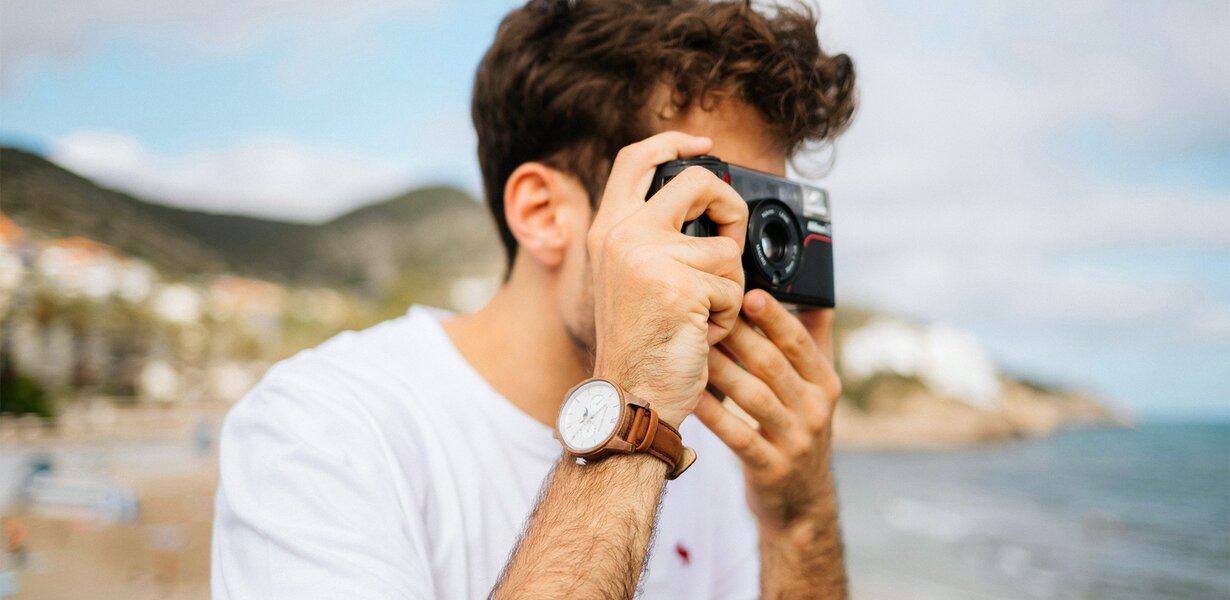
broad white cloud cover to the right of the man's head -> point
(998, 146)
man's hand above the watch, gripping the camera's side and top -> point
(662, 298)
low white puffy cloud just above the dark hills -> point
(260, 175)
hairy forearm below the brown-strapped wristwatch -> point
(590, 533)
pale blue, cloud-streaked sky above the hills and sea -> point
(1053, 176)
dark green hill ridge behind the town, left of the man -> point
(429, 232)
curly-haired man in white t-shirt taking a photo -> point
(416, 459)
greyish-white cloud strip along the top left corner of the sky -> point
(58, 31)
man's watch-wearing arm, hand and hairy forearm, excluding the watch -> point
(660, 299)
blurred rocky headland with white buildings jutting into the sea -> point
(927, 385)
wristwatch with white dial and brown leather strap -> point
(600, 419)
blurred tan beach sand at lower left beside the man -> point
(164, 554)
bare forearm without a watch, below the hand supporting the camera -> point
(805, 559)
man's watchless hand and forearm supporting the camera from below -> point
(790, 388)
